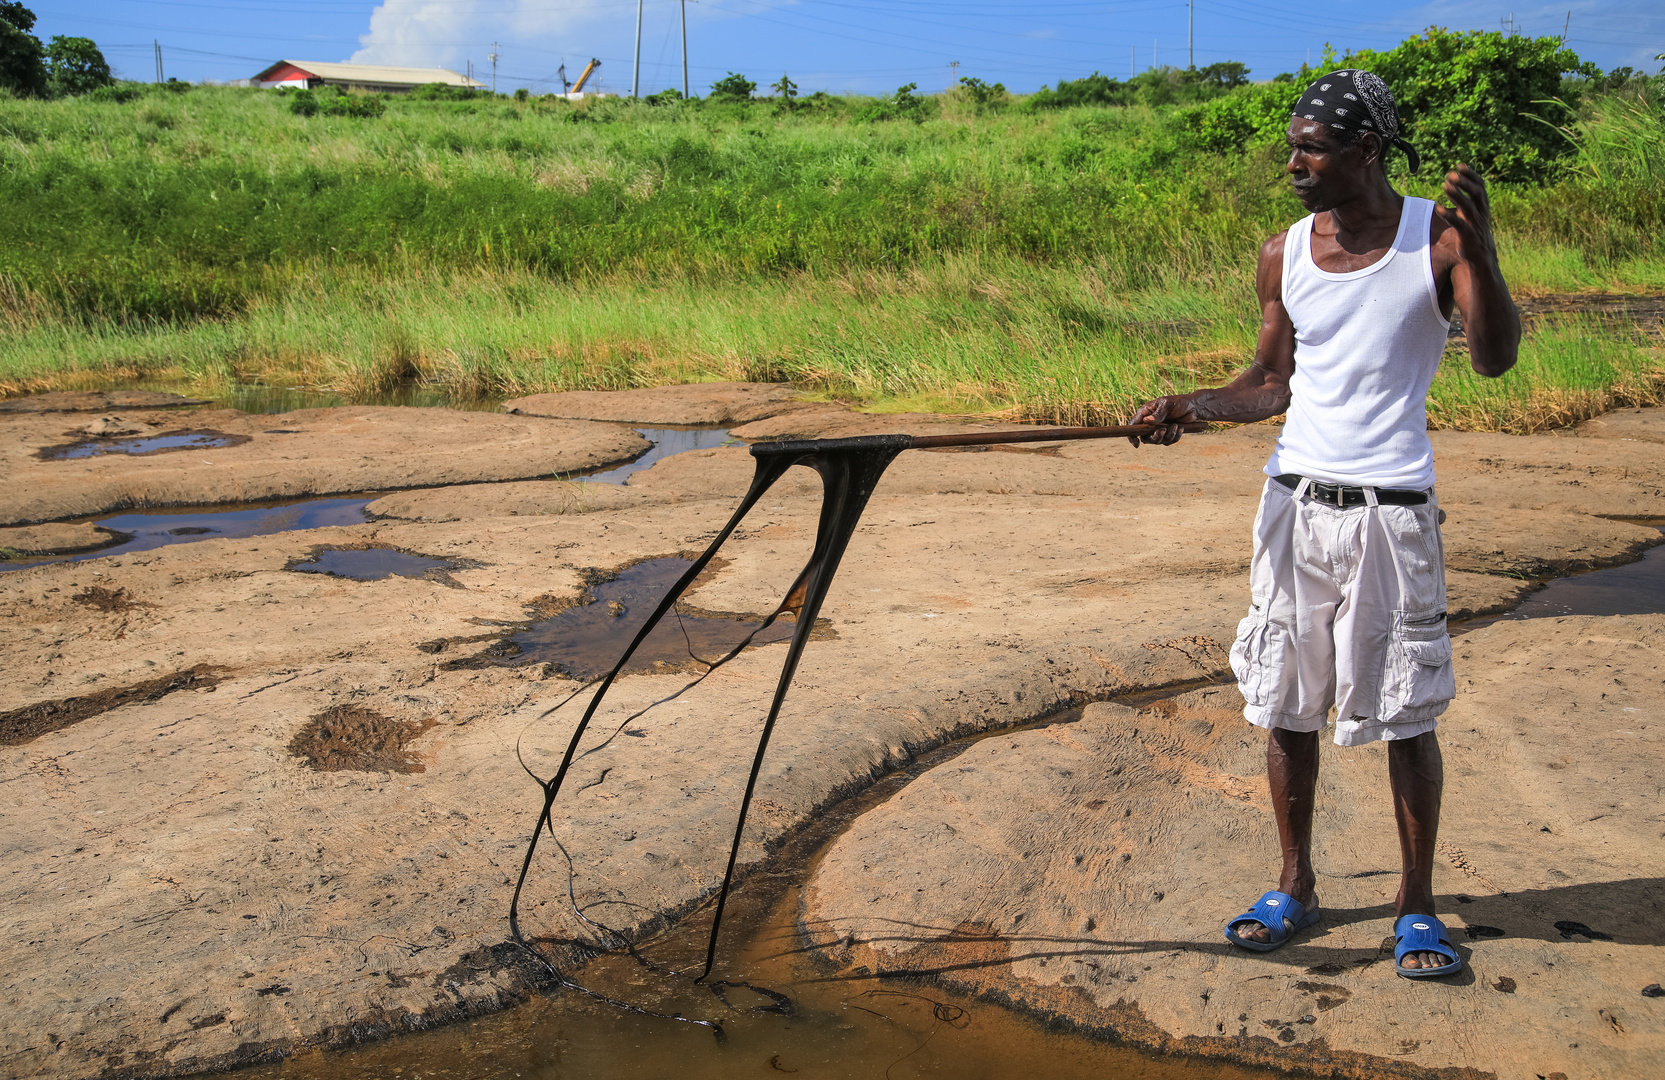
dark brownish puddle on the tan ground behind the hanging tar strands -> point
(589, 640)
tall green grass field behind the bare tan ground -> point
(1060, 265)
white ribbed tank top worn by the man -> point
(1368, 345)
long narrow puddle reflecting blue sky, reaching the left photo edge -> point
(181, 527)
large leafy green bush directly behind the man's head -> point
(1473, 97)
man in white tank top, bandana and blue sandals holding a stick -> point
(1349, 573)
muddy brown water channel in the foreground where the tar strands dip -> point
(832, 1024)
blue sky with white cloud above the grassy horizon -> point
(840, 46)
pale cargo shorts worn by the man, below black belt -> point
(1348, 613)
